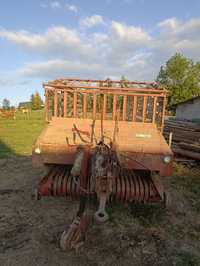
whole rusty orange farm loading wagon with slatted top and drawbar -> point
(103, 139)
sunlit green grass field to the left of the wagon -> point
(17, 136)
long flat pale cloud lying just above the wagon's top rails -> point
(58, 68)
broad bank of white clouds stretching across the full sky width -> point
(118, 49)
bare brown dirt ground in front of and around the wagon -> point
(150, 235)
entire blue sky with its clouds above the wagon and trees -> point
(43, 40)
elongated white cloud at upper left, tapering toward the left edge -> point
(56, 41)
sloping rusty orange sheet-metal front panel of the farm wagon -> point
(141, 141)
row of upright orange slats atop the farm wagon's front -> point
(143, 110)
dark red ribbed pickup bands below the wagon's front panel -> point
(129, 186)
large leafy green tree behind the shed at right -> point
(181, 76)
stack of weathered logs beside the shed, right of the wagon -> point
(185, 138)
